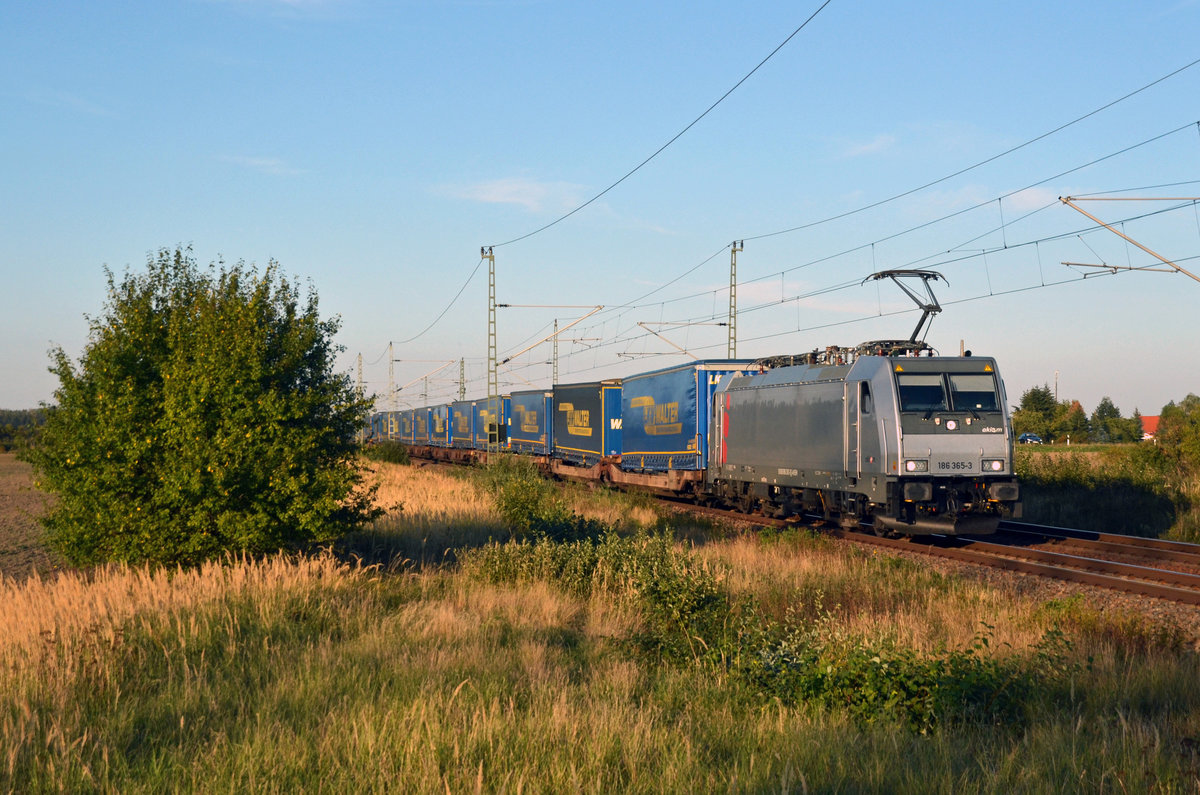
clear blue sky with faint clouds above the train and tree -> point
(373, 148)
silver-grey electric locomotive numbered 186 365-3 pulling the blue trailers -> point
(885, 434)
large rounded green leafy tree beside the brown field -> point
(205, 416)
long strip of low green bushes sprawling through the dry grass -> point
(689, 618)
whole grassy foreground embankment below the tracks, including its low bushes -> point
(599, 662)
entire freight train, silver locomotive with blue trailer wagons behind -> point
(885, 434)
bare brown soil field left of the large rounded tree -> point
(22, 549)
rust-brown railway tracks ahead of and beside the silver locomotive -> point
(1131, 565)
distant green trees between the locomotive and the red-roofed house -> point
(1067, 421)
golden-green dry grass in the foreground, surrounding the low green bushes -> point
(313, 674)
